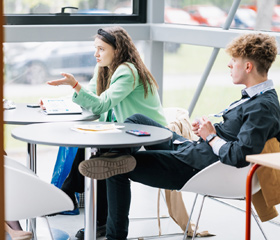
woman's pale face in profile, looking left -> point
(104, 53)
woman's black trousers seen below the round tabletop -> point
(75, 182)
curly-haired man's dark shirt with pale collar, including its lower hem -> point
(244, 129)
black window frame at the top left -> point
(139, 15)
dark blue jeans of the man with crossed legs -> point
(156, 167)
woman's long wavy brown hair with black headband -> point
(125, 51)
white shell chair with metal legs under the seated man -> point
(220, 181)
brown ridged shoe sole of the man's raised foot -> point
(107, 165)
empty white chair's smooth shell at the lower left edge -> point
(27, 196)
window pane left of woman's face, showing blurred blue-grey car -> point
(35, 63)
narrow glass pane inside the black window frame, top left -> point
(79, 7)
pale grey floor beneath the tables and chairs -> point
(225, 221)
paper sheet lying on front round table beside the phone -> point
(93, 128)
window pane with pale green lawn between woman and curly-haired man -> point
(183, 71)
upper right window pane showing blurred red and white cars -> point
(255, 15)
